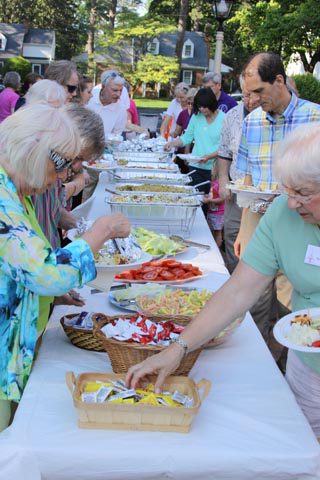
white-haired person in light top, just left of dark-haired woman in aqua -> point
(176, 106)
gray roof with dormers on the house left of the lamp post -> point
(200, 55)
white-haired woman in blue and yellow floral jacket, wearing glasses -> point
(37, 144)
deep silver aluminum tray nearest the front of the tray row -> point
(161, 214)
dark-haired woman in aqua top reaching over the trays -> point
(204, 130)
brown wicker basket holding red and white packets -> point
(125, 354)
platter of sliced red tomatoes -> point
(168, 271)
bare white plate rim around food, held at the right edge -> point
(283, 327)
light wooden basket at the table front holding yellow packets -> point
(137, 417)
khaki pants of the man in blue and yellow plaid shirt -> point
(276, 299)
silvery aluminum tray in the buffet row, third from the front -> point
(156, 177)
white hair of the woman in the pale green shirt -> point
(297, 156)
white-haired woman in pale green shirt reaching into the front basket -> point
(280, 242)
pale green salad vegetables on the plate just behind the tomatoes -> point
(157, 244)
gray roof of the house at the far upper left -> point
(18, 34)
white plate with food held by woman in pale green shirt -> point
(300, 330)
